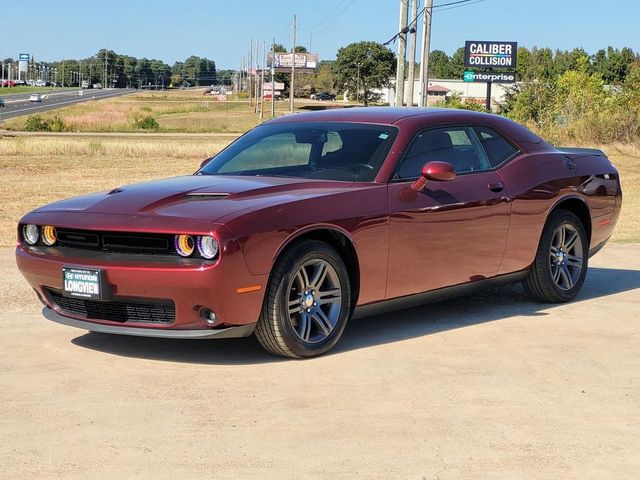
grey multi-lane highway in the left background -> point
(17, 105)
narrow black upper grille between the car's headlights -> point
(117, 242)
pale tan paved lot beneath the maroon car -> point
(491, 386)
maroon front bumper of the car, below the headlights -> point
(191, 286)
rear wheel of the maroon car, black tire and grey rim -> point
(545, 281)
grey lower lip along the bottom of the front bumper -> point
(230, 332)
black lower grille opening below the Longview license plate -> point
(118, 310)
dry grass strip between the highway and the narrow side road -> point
(175, 111)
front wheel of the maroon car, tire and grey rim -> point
(307, 302)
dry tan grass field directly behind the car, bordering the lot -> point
(36, 170)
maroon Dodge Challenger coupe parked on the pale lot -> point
(311, 219)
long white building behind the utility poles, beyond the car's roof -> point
(439, 89)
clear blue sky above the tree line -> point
(172, 30)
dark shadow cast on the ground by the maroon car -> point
(487, 306)
